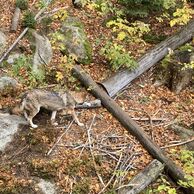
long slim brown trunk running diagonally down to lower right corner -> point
(173, 170)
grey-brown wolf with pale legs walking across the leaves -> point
(33, 100)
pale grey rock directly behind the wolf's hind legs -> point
(8, 127)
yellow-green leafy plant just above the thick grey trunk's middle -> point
(117, 56)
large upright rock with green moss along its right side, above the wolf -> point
(75, 40)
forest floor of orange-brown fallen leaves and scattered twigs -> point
(70, 163)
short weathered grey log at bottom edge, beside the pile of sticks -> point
(139, 182)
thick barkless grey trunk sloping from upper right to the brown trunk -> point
(122, 78)
